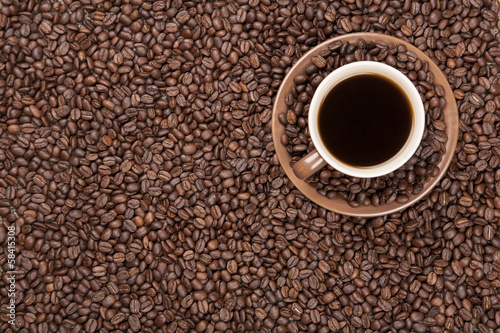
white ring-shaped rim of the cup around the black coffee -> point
(418, 123)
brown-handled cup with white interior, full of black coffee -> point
(366, 119)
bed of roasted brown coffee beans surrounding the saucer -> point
(137, 164)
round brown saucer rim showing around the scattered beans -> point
(338, 204)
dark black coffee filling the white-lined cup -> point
(365, 120)
